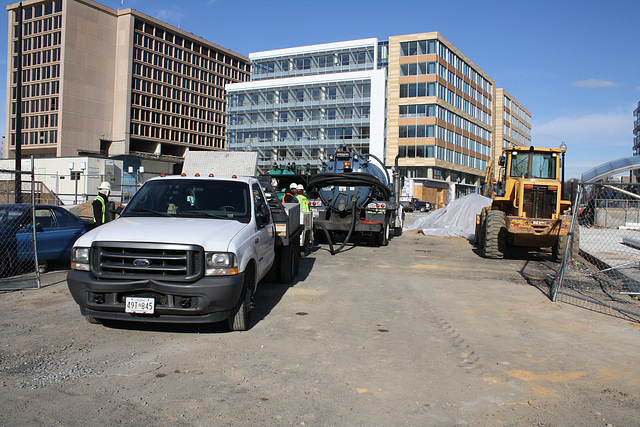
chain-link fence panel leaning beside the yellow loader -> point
(601, 267)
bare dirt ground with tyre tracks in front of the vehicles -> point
(421, 332)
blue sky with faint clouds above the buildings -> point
(573, 64)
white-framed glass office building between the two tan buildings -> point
(303, 103)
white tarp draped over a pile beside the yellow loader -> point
(456, 219)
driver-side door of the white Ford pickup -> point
(265, 232)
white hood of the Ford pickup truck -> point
(211, 234)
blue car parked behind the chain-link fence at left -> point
(56, 231)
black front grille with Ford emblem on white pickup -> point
(116, 260)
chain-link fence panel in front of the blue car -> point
(18, 245)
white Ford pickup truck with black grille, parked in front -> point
(186, 249)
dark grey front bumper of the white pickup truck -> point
(209, 299)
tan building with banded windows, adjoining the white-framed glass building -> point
(440, 117)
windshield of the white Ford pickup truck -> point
(197, 198)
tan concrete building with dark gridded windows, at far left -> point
(114, 82)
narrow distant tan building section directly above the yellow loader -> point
(512, 125)
